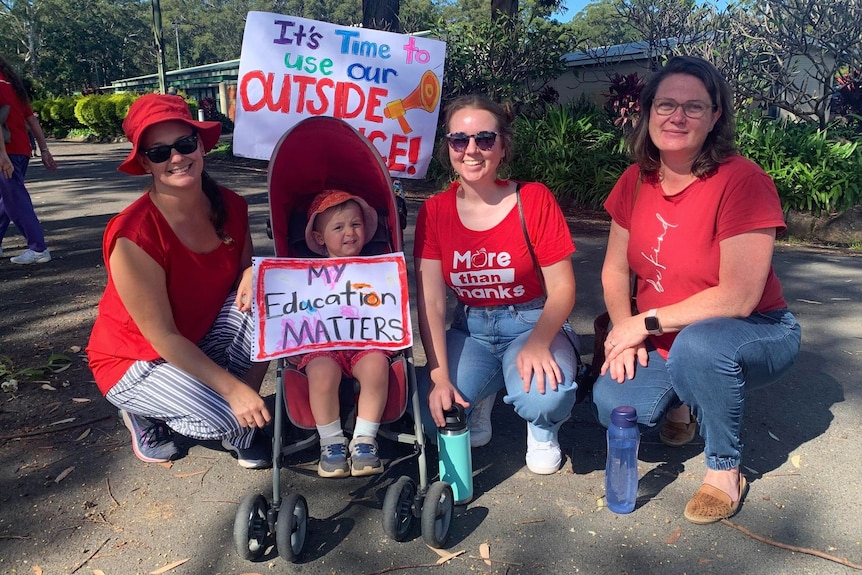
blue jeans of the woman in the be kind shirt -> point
(711, 365)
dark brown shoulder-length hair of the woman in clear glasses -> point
(719, 144)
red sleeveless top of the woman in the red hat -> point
(197, 284)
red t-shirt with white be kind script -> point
(674, 241)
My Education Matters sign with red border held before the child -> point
(301, 305)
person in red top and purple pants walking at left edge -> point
(16, 206)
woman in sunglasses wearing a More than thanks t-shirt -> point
(506, 333)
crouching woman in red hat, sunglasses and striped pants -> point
(172, 340)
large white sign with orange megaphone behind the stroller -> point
(385, 85)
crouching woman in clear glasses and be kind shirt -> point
(696, 223)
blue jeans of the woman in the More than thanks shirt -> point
(482, 346)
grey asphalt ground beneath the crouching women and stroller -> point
(803, 455)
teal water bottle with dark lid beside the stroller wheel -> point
(456, 460)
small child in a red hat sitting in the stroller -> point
(339, 225)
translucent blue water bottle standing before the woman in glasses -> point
(621, 470)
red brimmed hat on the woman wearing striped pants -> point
(156, 108)
